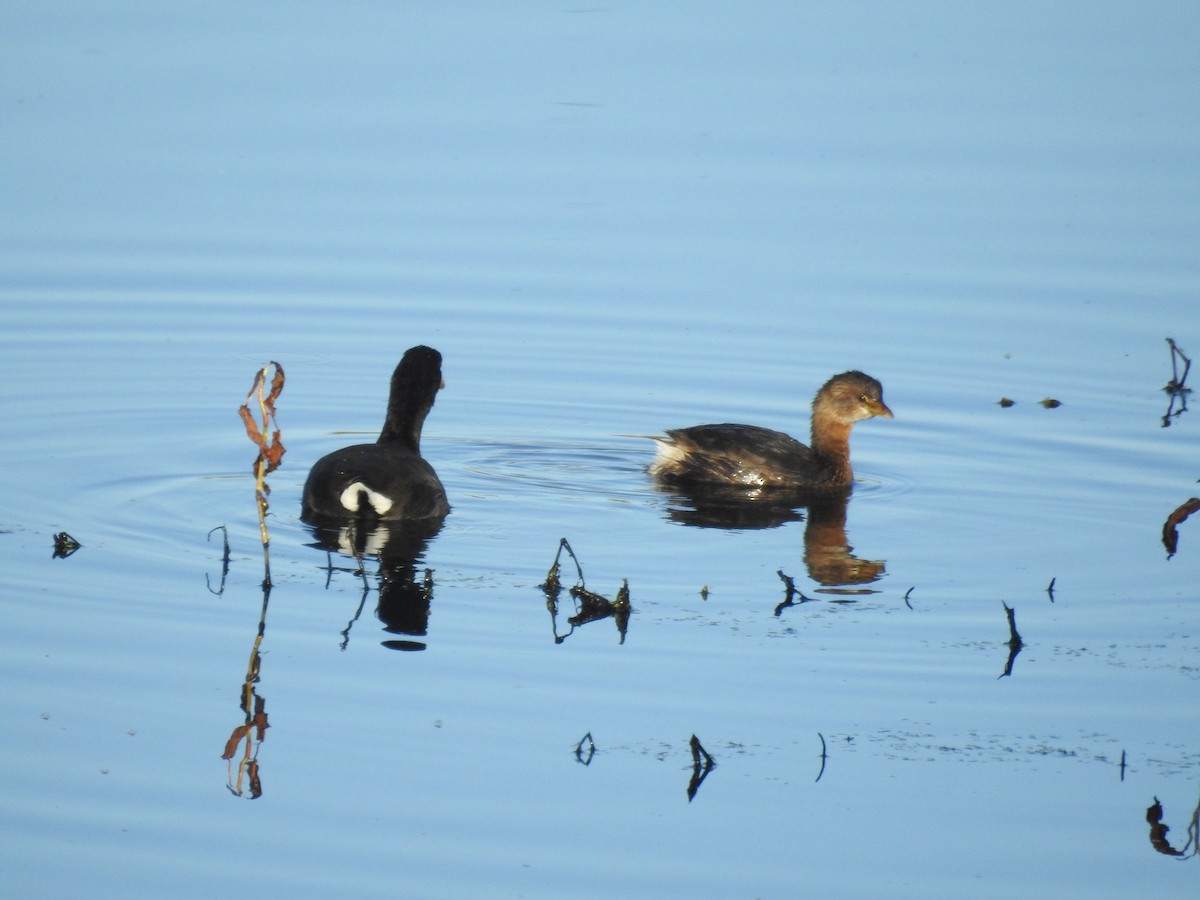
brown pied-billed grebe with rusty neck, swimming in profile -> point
(749, 457)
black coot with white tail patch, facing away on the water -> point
(388, 479)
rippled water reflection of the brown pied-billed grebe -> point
(827, 553)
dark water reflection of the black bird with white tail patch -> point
(405, 590)
